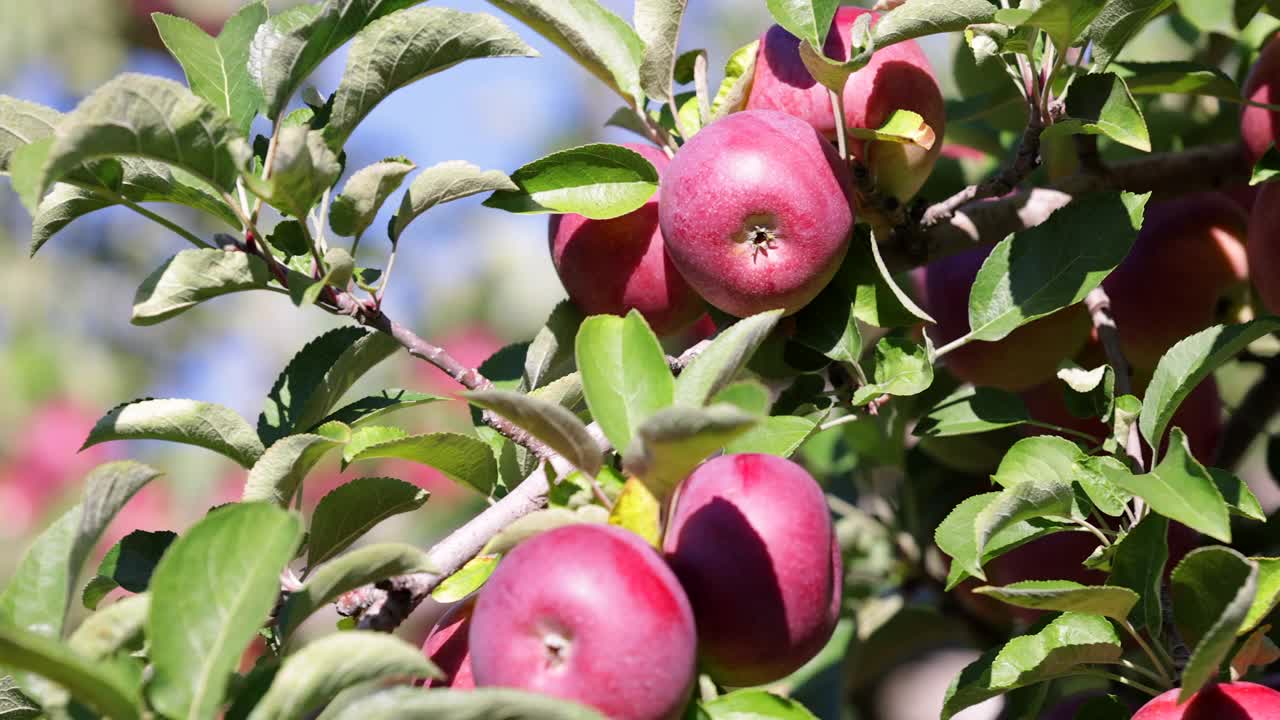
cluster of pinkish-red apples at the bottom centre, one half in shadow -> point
(747, 589)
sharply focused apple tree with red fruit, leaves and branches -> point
(844, 361)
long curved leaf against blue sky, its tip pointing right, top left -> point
(406, 47)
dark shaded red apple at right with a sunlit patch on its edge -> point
(1182, 275)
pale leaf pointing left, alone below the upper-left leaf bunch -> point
(193, 277)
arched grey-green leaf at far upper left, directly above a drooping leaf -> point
(145, 117)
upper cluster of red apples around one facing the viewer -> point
(755, 212)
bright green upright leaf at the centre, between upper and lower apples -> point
(625, 375)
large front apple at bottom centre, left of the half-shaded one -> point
(592, 614)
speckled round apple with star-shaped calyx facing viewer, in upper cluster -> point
(756, 213)
